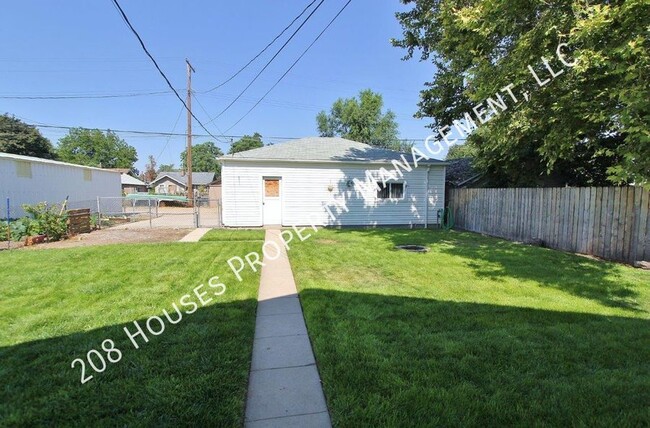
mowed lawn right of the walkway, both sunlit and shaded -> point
(477, 332)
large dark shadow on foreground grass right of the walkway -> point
(394, 361)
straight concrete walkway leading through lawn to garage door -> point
(284, 388)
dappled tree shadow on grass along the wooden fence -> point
(497, 259)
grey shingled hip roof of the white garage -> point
(323, 149)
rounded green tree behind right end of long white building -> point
(94, 147)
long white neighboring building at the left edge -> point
(30, 180)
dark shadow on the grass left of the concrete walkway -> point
(194, 373)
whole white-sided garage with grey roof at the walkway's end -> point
(330, 181)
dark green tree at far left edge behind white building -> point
(18, 138)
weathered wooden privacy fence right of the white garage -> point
(608, 222)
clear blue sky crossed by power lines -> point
(83, 47)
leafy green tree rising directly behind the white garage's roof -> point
(360, 119)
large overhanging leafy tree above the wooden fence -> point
(591, 124)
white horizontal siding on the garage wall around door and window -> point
(305, 193)
